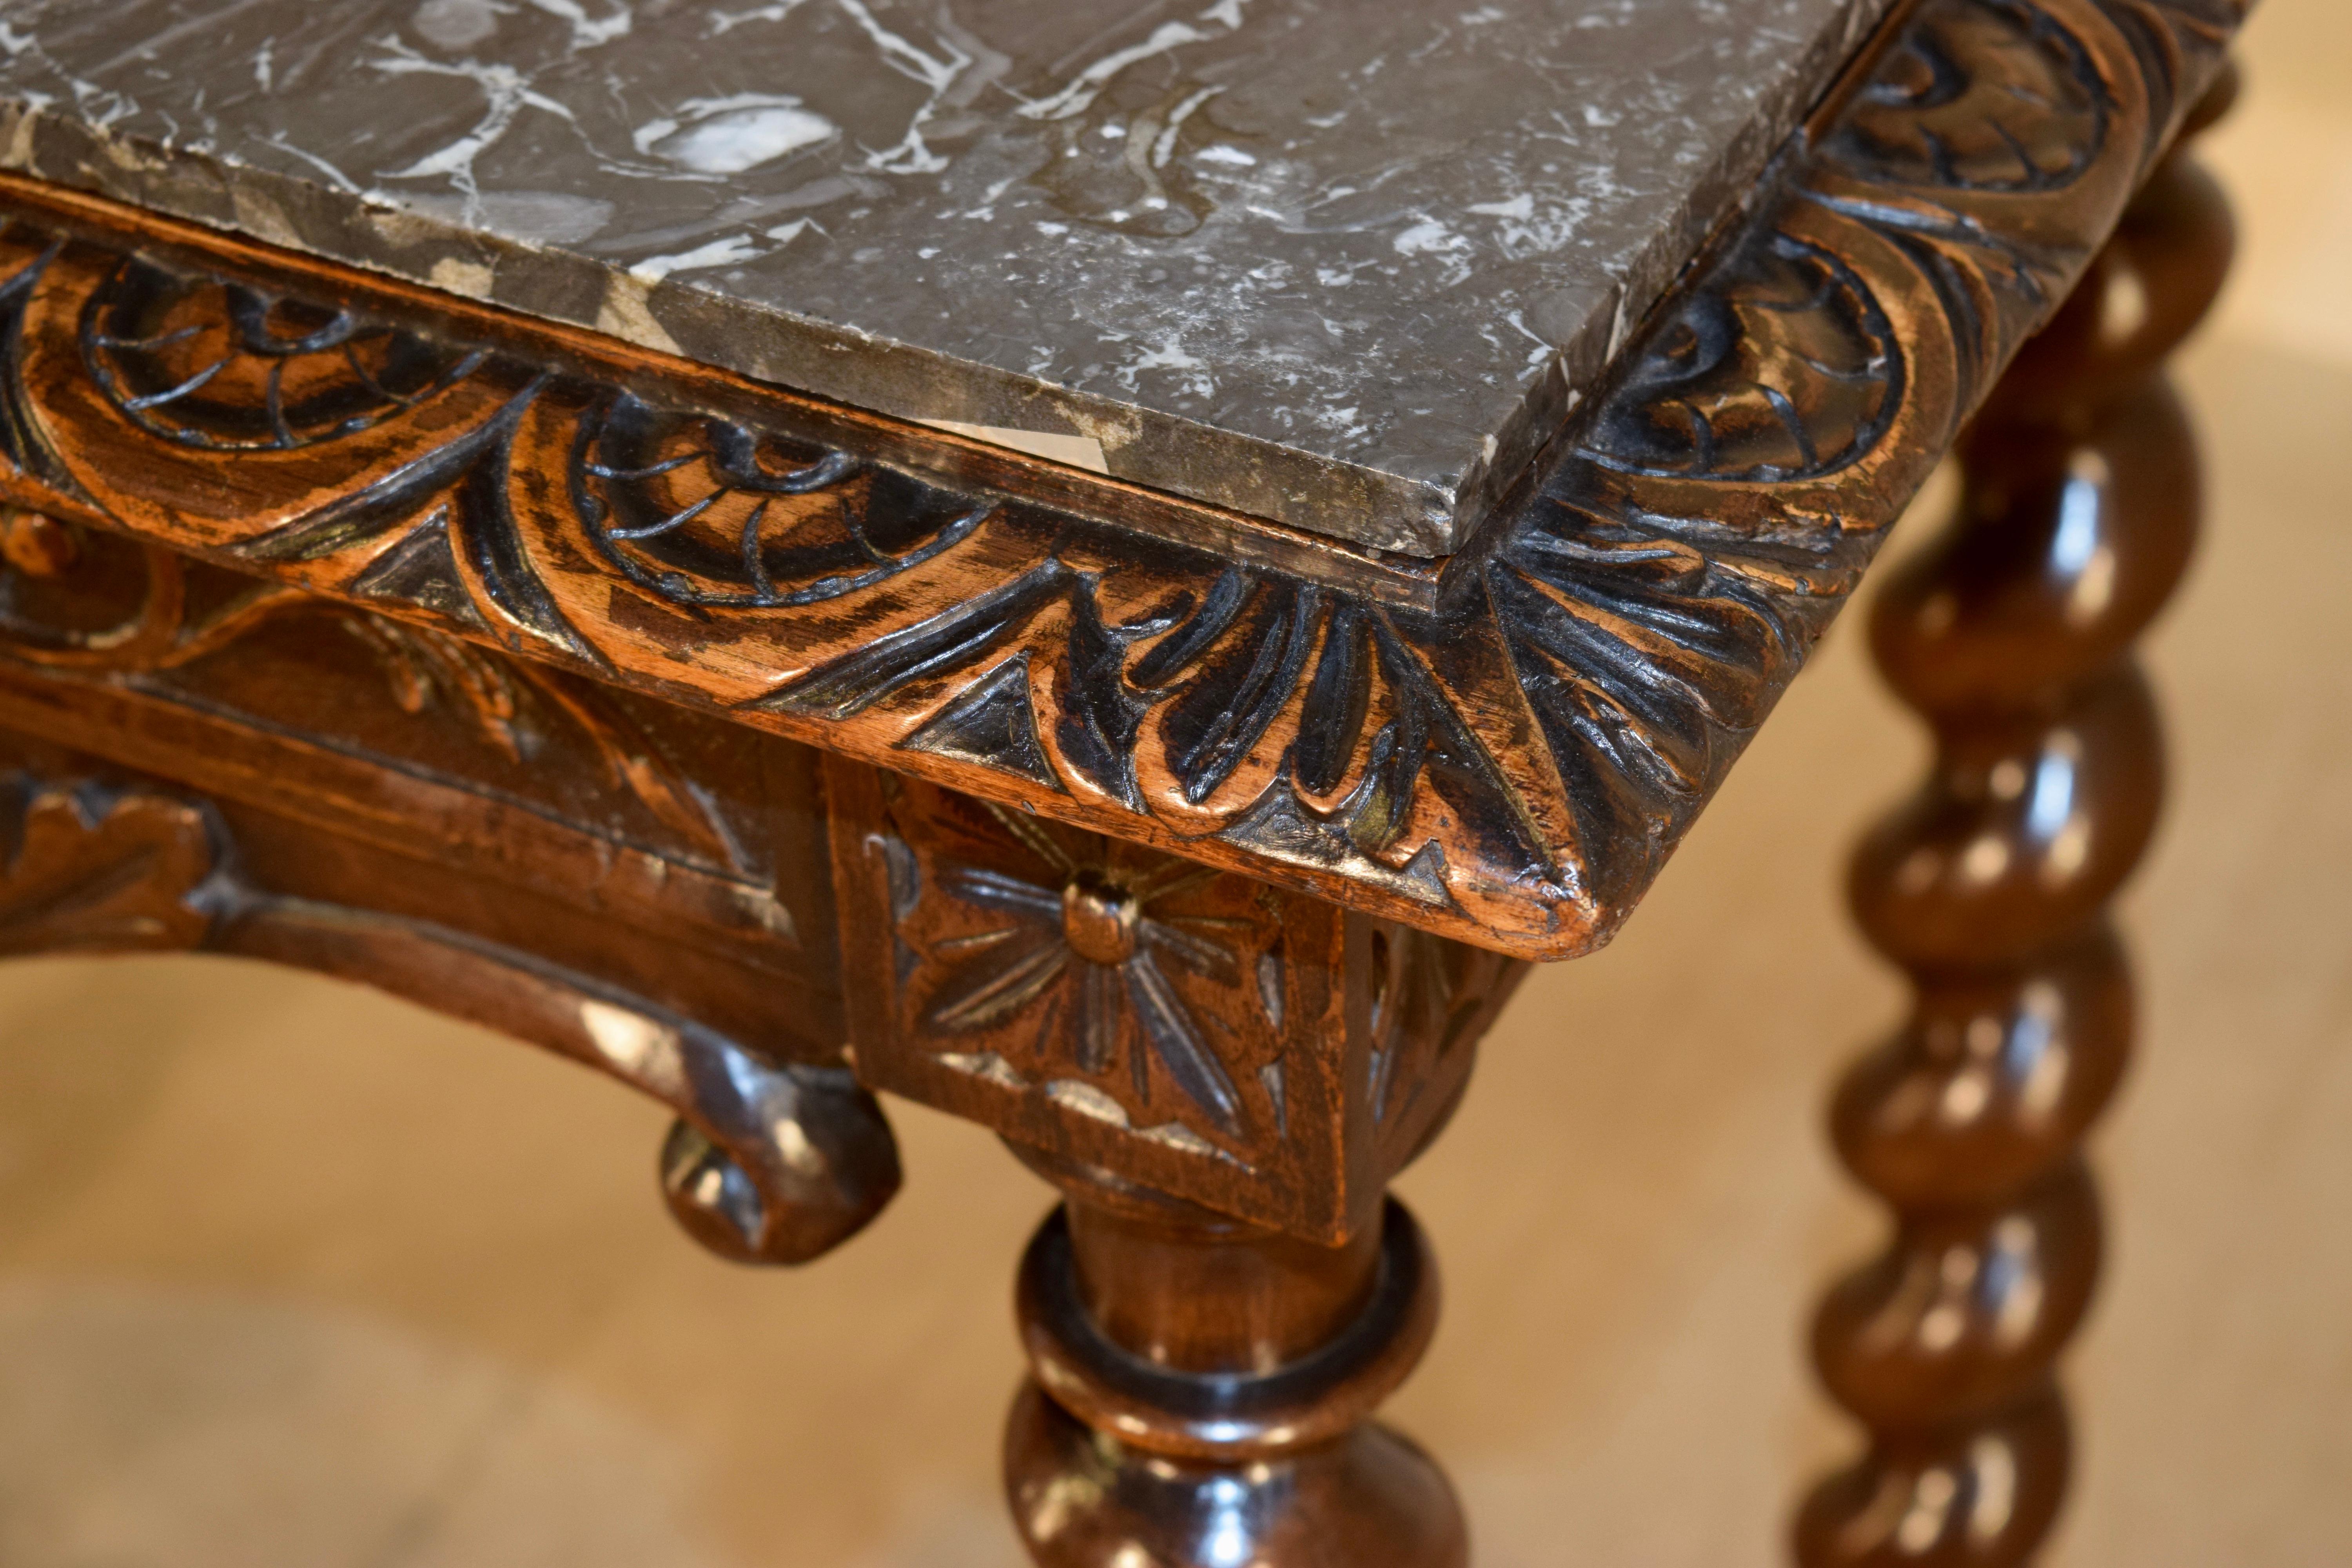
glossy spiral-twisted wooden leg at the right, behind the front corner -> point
(2012, 636)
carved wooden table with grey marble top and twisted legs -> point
(1121, 572)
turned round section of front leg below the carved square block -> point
(1203, 1391)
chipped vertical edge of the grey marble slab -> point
(1149, 448)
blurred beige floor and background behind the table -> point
(300, 1275)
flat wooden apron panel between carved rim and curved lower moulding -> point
(669, 852)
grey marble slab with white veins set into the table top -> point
(1332, 262)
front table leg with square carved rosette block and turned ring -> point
(1222, 1080)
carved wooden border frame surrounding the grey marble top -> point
(1502, 756)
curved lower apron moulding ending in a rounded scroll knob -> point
(770, 1162)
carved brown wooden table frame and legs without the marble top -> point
(382, 634)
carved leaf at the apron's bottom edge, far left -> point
(93, 871)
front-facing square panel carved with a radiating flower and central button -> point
(1114, 981)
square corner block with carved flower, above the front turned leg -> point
(1198, 1033)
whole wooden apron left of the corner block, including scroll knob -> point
(627, 885)
